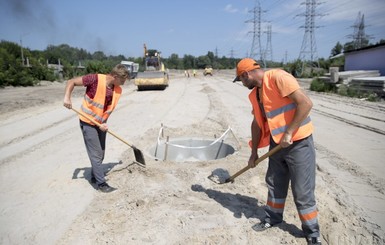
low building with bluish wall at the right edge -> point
(368, 58)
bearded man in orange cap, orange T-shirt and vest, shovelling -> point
(281, 117)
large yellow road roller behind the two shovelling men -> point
(155, 75)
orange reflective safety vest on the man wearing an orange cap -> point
(279, 111)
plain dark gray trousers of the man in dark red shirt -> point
(95, 141)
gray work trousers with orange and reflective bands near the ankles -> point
(297, 164)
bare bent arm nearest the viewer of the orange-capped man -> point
(304, 105)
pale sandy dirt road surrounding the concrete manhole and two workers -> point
(47, 199)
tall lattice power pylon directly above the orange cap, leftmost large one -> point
(256, 48)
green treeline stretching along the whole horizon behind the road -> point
(24, 67)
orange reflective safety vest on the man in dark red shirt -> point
(95, 107)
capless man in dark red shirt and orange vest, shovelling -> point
(100, 99)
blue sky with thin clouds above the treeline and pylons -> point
(183, 27)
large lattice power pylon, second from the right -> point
(309, 48)
